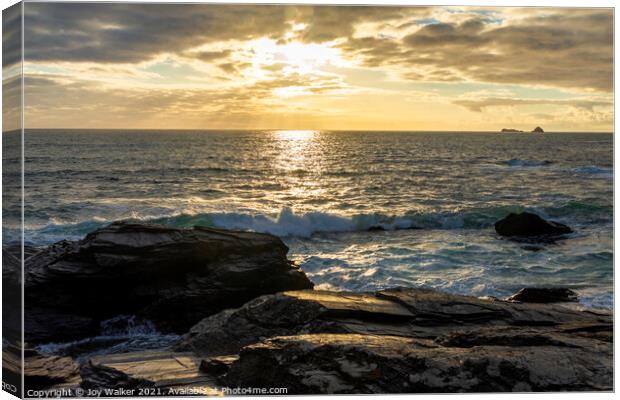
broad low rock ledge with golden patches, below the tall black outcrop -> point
(392, 341)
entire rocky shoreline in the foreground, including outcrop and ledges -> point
(245, 315)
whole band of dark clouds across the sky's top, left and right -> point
(566, 48)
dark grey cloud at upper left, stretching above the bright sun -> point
(129, 33)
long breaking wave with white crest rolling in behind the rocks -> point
(290, 224)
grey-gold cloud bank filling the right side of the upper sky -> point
(570, 49)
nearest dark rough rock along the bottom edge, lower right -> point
(368, 364)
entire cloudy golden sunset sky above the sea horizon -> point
(196, 66)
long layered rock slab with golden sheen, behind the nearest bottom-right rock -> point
(416, 313)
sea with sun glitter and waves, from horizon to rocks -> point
(321, 191)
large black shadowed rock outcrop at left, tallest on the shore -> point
(174, 277)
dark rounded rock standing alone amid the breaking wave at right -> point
(526, 224)
